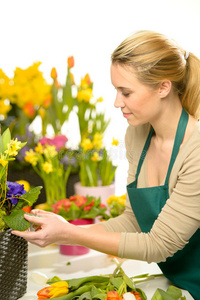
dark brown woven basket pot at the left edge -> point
(13, 265)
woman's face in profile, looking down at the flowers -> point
(139, 103)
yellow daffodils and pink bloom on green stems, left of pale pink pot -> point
(47, 160)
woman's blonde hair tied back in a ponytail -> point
(154, 58)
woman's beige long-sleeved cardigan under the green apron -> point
(179, 218)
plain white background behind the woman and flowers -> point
(50, 31)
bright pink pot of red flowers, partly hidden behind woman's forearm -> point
(76, 249)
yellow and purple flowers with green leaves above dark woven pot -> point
(13, 196)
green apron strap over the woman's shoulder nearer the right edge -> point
(178, 140)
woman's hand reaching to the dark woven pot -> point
(49, 228)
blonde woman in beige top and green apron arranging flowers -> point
(158, 91)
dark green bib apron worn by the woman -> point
(183, 269)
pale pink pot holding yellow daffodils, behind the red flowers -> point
(96, 191)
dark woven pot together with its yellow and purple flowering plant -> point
(13, 198)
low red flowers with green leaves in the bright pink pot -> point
(79, 207)
